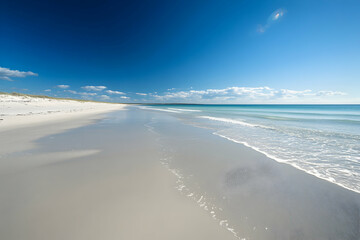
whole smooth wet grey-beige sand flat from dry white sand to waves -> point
(137, 173)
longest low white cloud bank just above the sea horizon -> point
(246, 95)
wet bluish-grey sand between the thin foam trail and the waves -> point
(258, 197)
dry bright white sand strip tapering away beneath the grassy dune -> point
(23, 111)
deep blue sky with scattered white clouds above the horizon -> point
(233, 51)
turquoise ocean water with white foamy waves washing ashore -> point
(322, 140)
